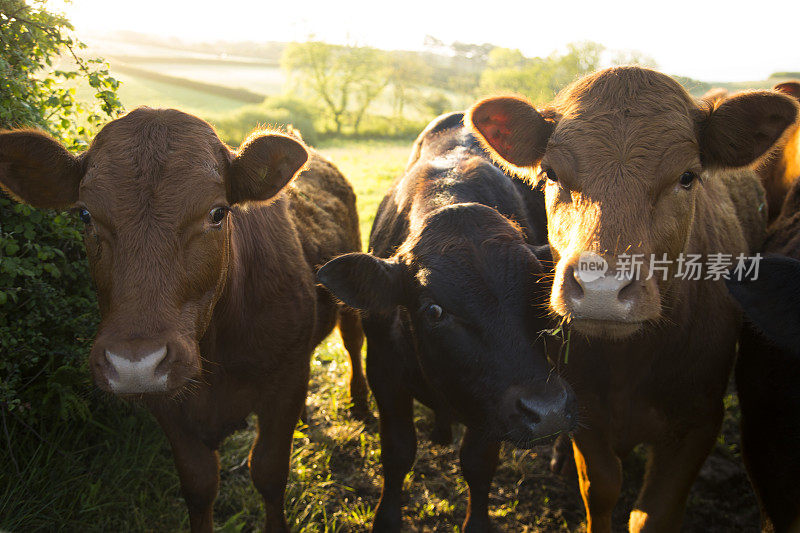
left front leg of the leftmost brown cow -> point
(198, 471)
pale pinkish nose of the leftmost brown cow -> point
(137, 373)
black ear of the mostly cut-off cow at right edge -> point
(771, 299)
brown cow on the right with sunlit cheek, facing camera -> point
(632, 165)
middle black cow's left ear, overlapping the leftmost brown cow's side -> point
(363, 281)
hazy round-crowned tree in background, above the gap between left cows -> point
(345, 79)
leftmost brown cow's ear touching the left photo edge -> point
(38, 170)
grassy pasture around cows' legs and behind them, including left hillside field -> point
(115, 471)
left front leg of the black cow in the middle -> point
(398, 437)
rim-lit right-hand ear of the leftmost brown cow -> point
(263, 165)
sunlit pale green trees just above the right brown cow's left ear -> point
(538, 78)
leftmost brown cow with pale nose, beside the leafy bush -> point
(204, 263)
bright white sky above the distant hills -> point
(710, 41)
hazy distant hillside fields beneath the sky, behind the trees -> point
(223, 77)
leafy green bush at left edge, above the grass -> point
(47, 307)
